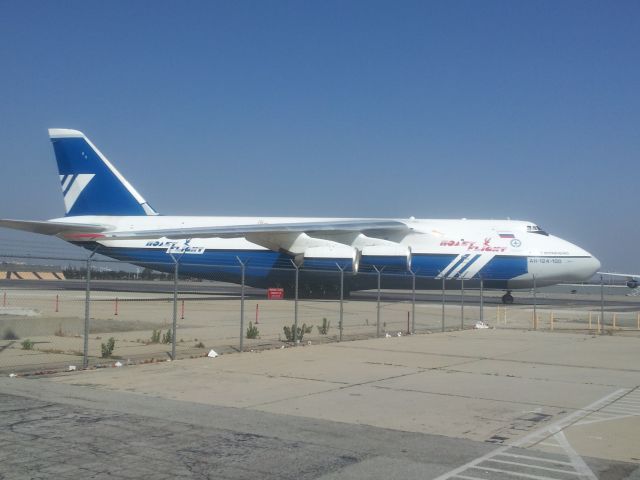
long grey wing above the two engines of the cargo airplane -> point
(233, 231)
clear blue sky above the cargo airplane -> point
(492, 109)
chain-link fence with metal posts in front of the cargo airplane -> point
(60, 313)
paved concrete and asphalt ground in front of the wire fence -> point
(474, 404)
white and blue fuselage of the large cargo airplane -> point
(503, 253)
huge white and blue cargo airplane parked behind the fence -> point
(104, 213)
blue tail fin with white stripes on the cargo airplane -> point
(90, 184)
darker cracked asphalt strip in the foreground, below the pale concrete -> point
(70, 432)
